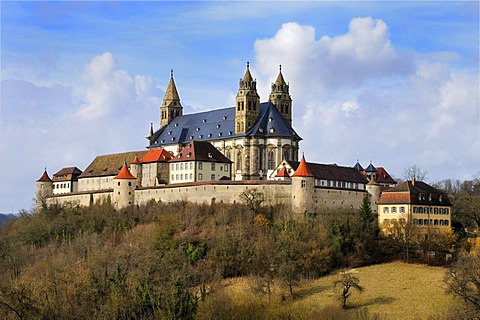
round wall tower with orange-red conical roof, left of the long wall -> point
(123, 188)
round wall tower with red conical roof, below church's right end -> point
(303, 184)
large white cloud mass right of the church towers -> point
(364, 99)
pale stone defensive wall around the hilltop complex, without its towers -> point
(275, 193)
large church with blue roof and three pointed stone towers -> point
(256, 136)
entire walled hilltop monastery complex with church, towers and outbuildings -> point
(217, 155)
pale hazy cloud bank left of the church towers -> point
(46, 126)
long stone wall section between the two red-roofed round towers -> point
(278, 193)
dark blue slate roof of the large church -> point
(220, 124)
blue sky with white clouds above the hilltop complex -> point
(391, 83)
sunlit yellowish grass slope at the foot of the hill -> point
(392, 291)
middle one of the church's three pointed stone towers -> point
(247, 103)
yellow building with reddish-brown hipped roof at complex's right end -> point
(417, 202)
